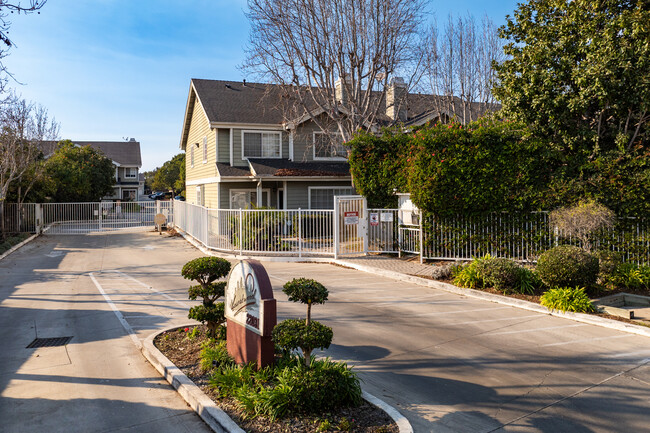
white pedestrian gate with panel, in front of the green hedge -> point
(350, 225)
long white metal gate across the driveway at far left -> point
(82, 218)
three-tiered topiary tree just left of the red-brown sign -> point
(205, 270)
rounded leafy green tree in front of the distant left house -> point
(79, 174)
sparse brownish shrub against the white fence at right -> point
(582, 221)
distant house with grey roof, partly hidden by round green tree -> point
(126, 159)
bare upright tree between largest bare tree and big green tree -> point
(459, 66)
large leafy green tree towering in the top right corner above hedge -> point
(578, 73)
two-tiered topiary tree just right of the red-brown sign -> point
(305, 335)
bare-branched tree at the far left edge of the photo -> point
(23, 125)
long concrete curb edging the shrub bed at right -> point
(518, 303)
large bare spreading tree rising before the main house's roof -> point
(335, 58)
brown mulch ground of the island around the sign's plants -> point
(184, 352)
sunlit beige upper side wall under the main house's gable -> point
(199, 128)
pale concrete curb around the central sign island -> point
(203, 405)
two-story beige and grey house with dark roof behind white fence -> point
(242, 152)
